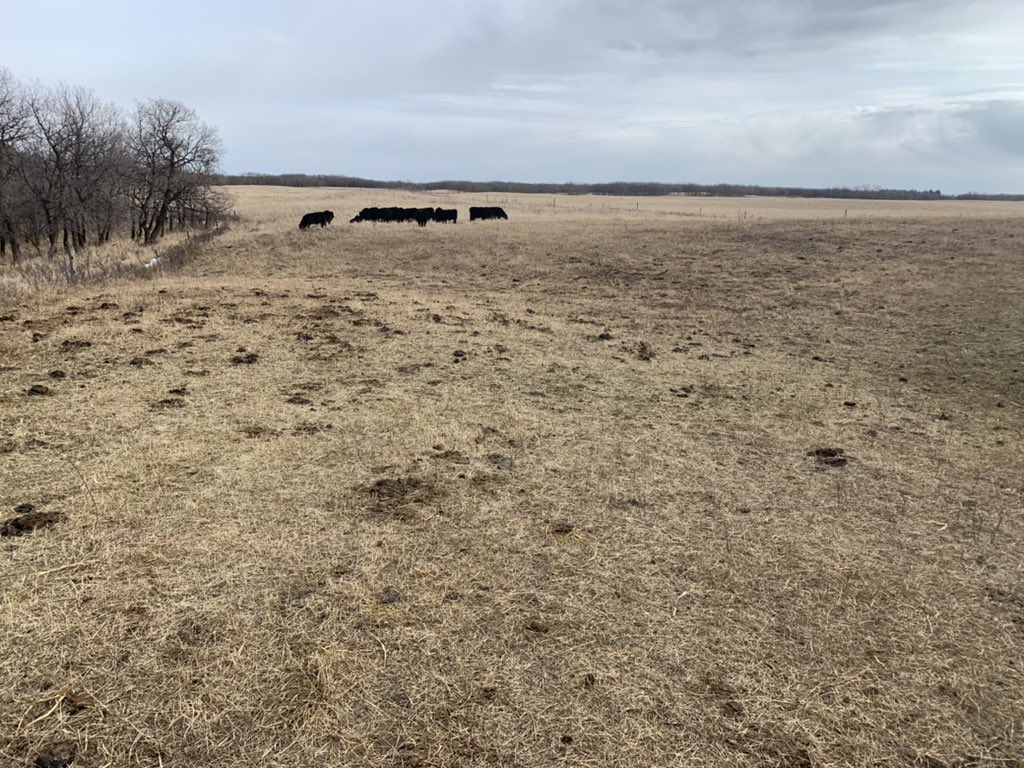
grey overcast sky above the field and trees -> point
(906, 94)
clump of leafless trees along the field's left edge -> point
(75, 173)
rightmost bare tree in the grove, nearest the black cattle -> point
(176, 158)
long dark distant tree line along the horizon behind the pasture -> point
(626, 189)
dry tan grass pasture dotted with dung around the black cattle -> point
(615, 483)
